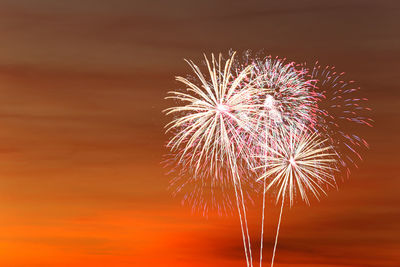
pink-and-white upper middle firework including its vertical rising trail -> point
(285, 99)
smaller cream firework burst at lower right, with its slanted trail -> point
(300, 163)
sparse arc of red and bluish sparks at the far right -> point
(341, 114)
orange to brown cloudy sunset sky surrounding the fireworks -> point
(81, 136)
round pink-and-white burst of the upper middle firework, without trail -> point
(286, 92)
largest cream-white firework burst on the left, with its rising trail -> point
(211, 126)
